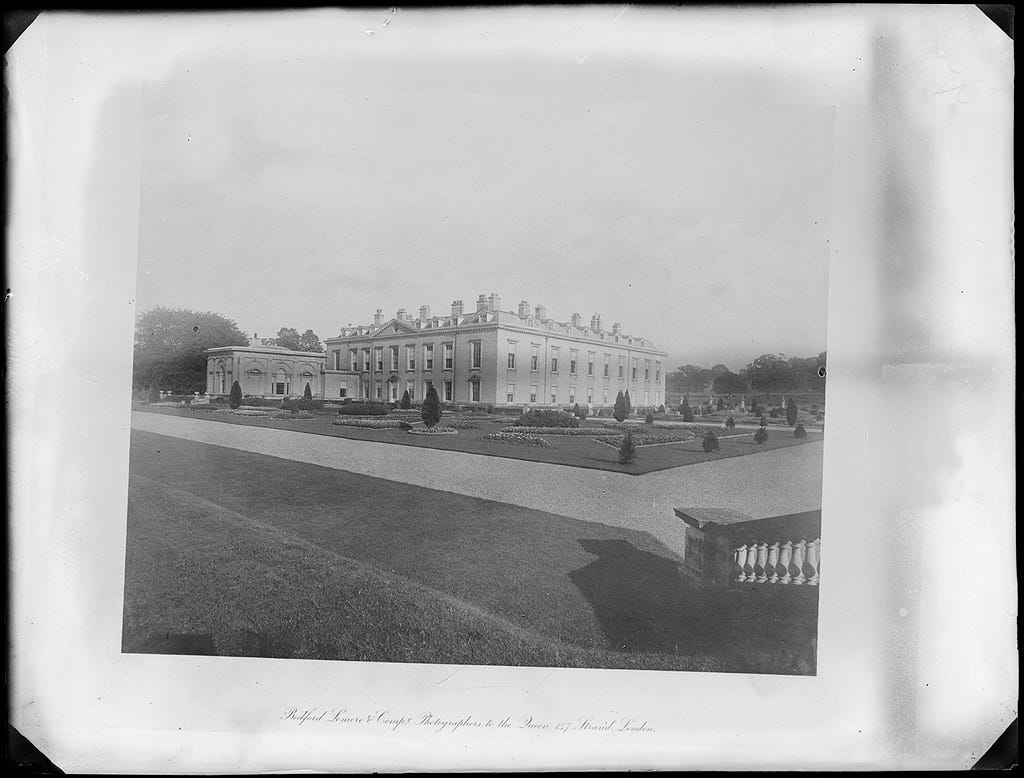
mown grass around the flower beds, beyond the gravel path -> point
(575, 452)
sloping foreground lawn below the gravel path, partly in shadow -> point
(235, 553)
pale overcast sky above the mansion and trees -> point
(701, 225)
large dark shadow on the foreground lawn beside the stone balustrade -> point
(644, 604)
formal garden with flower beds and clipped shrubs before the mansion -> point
(621, 439)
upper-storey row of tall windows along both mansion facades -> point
(360, 360)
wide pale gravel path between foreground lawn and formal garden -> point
(772, 484)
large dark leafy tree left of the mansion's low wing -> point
(172, 343)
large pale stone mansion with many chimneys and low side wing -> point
(490, 357)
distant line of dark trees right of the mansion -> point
(769, 374)
